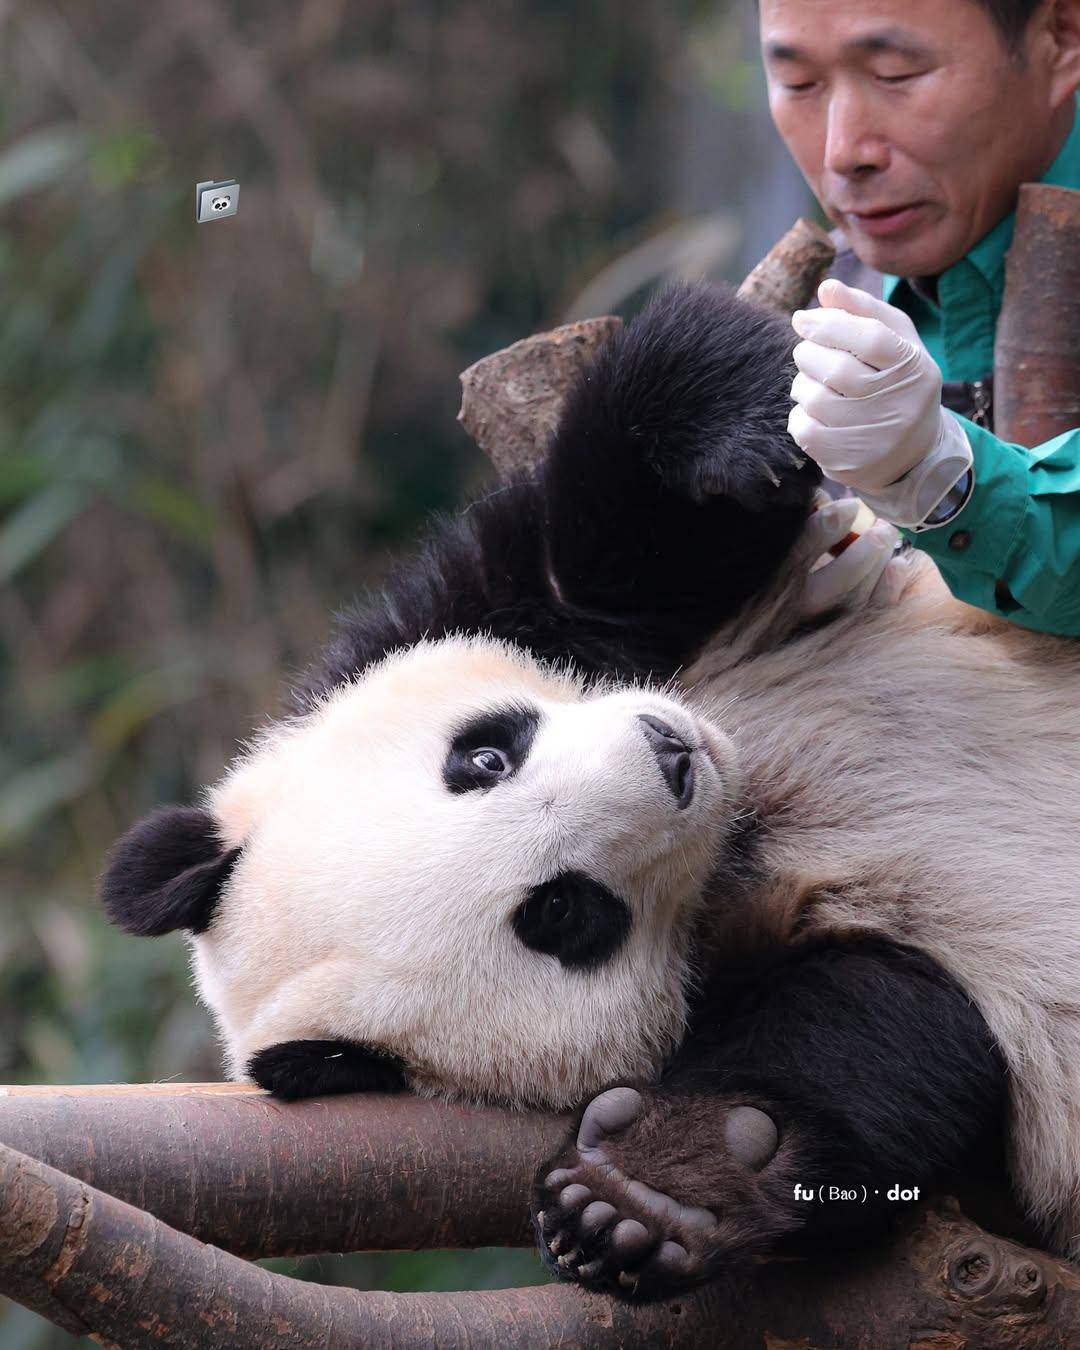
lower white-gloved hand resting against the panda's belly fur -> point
(861, 574)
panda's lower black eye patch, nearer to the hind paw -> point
(573, 919)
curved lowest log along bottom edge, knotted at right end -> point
(97, 1266)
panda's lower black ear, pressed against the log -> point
(295, 1070)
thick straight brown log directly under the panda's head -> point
(233, 1167)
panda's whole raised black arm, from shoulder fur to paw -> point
(672, 495)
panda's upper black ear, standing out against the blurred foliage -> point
(168, 873)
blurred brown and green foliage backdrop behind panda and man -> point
(211, 437)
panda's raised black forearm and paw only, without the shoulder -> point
(673, 491)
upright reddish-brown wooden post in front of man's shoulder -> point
(1037, 356)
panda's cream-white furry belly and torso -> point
(925, 790)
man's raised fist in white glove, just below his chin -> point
(869, 406)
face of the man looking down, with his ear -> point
(909, 119)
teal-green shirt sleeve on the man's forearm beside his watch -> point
(1015, 549)
